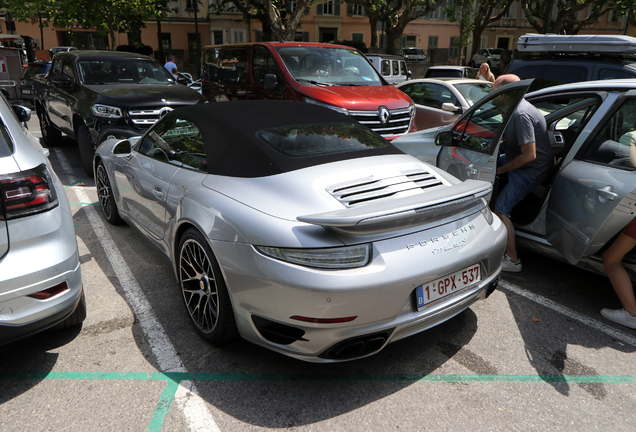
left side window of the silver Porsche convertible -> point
(176, 141)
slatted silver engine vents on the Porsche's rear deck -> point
(370, 189)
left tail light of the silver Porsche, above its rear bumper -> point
(329, 258)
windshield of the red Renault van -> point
(319, 65)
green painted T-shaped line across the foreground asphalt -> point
(173, 379)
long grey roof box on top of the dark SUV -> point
(591, 44)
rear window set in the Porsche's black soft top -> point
(320, 139)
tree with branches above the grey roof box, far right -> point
(566, 20)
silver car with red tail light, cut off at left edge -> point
(40, 277)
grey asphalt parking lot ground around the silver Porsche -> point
(535, 356)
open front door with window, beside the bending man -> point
(470, 149)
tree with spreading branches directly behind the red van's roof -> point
(277, 19)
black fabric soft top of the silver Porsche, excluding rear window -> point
(233, 149)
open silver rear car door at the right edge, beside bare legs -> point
(593, 196)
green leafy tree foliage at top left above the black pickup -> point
(107, 16)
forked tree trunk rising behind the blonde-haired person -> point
(474, 17)
